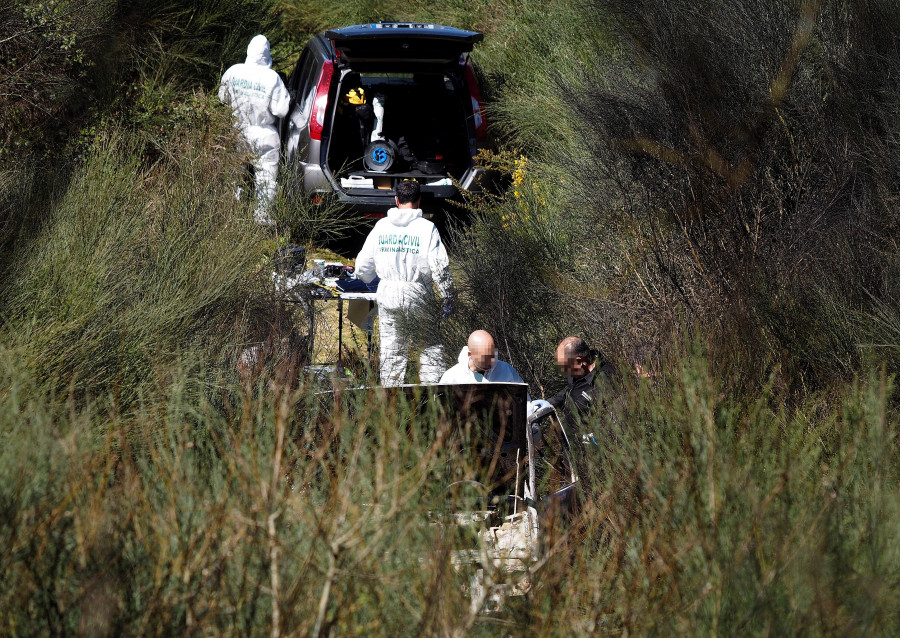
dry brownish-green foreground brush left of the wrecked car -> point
(177, 519)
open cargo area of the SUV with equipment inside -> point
(390, 127)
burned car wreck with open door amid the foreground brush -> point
(507, 483)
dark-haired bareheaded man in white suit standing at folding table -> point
(406, 252)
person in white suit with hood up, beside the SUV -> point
(258, 98)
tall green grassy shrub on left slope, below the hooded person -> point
(135, 264)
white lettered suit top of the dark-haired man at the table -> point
(406, 251)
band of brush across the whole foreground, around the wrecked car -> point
(282, 513)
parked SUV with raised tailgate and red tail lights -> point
(374, 104)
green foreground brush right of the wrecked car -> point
(722, 517)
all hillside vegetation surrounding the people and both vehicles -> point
(707, 187)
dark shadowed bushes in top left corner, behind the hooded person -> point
(65, 62)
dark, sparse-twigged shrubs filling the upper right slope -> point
(727, 155)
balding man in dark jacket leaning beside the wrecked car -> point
(589, 377)
